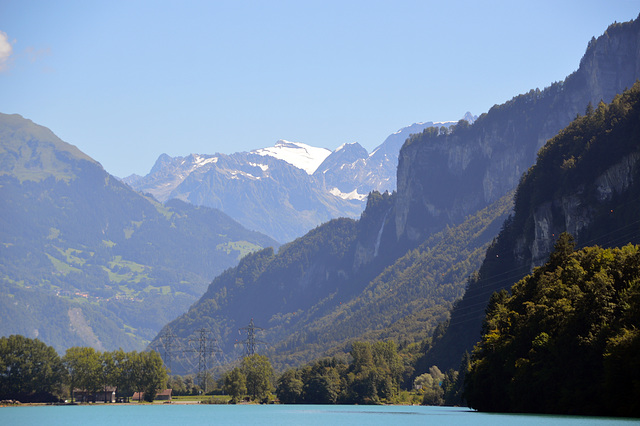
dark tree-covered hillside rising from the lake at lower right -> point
(566, 340)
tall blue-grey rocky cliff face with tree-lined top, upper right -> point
(444, 177)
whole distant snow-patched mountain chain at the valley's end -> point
(284, 190)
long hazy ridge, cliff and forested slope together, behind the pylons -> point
(397, 270)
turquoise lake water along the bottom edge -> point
(334, 415)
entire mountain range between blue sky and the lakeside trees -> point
(86, 260)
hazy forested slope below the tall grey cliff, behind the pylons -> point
(315, 296)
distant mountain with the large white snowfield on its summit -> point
(260, 189)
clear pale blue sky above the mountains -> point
(128, 80)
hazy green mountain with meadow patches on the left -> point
(85, 260)
